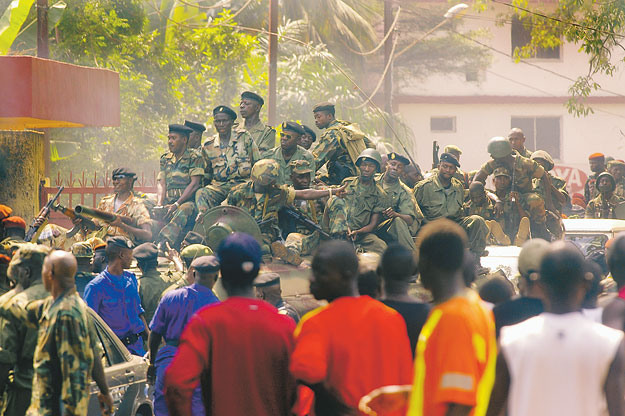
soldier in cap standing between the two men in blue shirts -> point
(151, 283)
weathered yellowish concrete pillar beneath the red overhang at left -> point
(21, 170)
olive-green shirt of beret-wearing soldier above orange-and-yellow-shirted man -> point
(436, 201)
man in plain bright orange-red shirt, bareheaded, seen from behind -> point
(353, 345)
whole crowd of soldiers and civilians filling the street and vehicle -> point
(372, 347)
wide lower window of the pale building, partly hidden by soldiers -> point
(540, 133)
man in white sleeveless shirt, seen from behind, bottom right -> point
(559, 362)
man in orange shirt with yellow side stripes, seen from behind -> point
(456, 352)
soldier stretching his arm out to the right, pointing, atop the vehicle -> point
(263, 198)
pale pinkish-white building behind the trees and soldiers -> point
(455, 109)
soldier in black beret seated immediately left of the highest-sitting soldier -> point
(229, 157)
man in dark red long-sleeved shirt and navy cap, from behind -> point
(238, 349)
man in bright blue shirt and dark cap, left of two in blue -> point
(114, 295)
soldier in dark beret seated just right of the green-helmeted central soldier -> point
(402, 218)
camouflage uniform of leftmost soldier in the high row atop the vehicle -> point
(177, 176)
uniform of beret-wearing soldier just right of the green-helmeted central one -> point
(402, 201)
